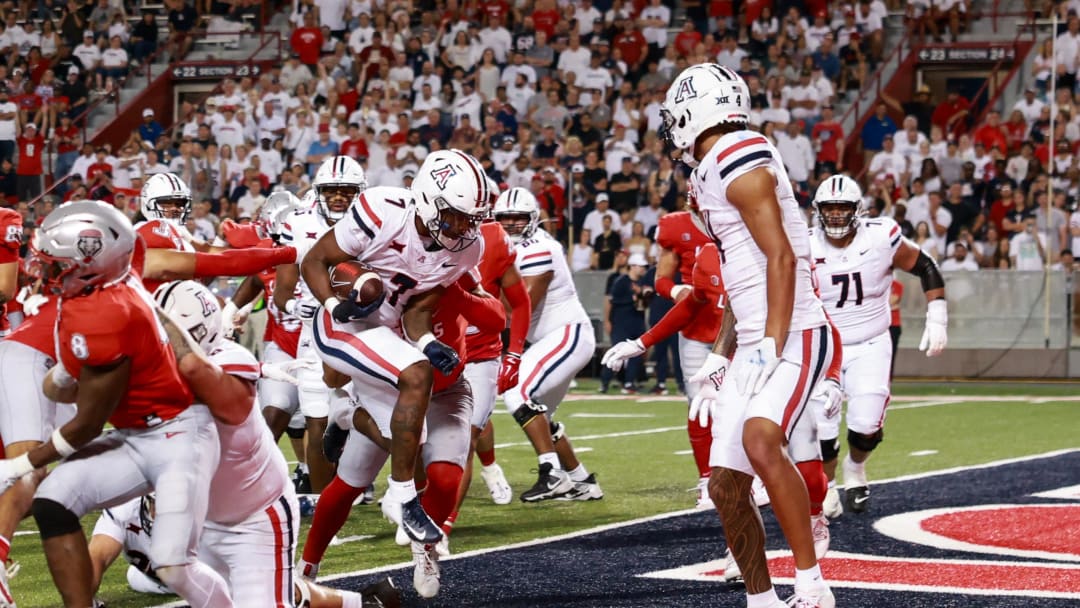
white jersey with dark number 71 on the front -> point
(856, 281)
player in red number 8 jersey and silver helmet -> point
(116, 364)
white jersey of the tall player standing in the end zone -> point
(742, 262)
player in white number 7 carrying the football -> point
(420, 240)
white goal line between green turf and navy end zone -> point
(604, 529)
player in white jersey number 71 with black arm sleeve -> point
(855, 258)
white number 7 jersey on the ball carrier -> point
(381, 232)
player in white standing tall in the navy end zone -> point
(785, 341)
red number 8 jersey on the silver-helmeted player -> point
(119, 322)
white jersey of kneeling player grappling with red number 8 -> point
(252, 472)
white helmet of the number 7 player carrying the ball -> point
(453, 198)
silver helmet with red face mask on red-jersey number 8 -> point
(82, 247)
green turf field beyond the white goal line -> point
(639, 450)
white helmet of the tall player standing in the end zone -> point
(703, 98)
